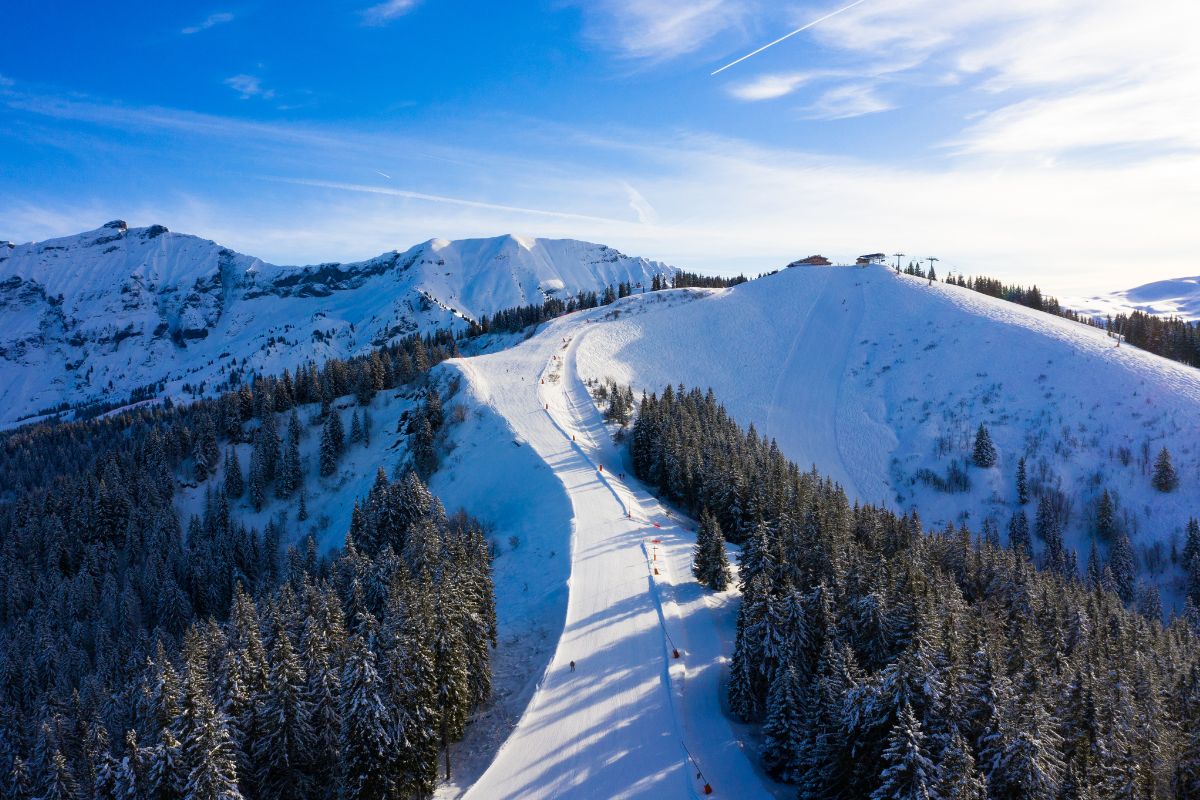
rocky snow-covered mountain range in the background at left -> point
(97, 316)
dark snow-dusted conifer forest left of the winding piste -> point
(148, 657)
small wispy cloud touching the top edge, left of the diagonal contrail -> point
(658, 31)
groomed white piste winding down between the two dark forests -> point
(631, 720)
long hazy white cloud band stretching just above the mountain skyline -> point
(718, 203)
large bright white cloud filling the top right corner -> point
(1059, 77)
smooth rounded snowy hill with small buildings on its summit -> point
(881, 382)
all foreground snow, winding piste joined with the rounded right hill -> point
(862, 372)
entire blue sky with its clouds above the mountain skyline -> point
(1049, 140)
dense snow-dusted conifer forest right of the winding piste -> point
(886, 661)
